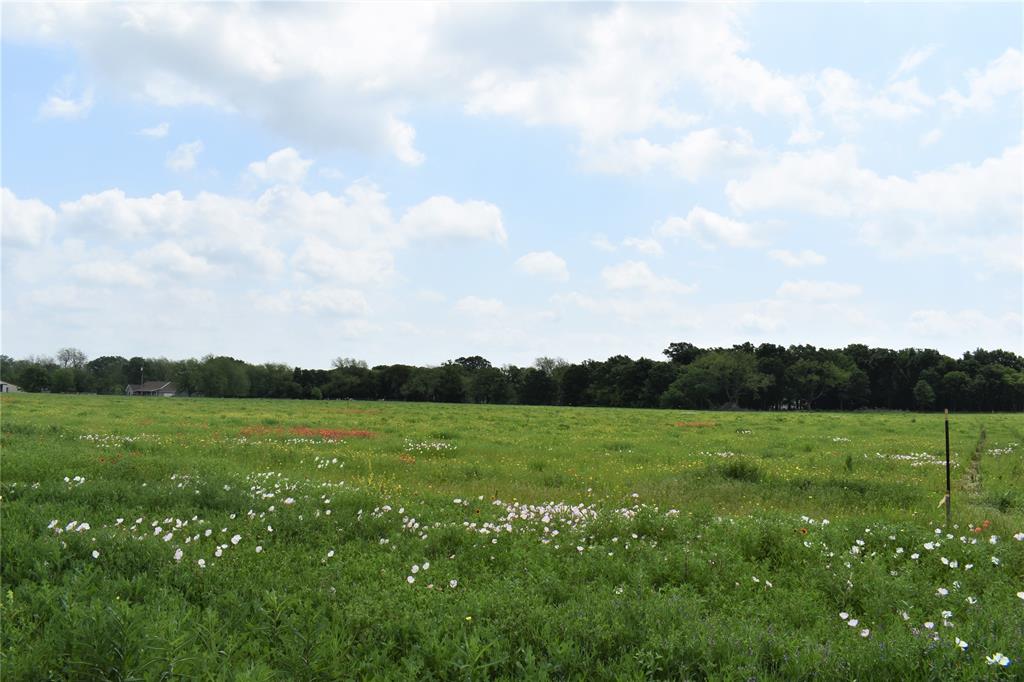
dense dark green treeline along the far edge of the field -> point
(764, 377)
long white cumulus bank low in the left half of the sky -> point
(349, 238)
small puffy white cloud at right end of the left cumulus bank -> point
(445, 218)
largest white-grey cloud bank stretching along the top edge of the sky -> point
(332, 76)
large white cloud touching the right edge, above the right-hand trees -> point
(973, 211)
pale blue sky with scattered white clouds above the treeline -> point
(416, 183)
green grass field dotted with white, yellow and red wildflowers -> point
(153, 539)
